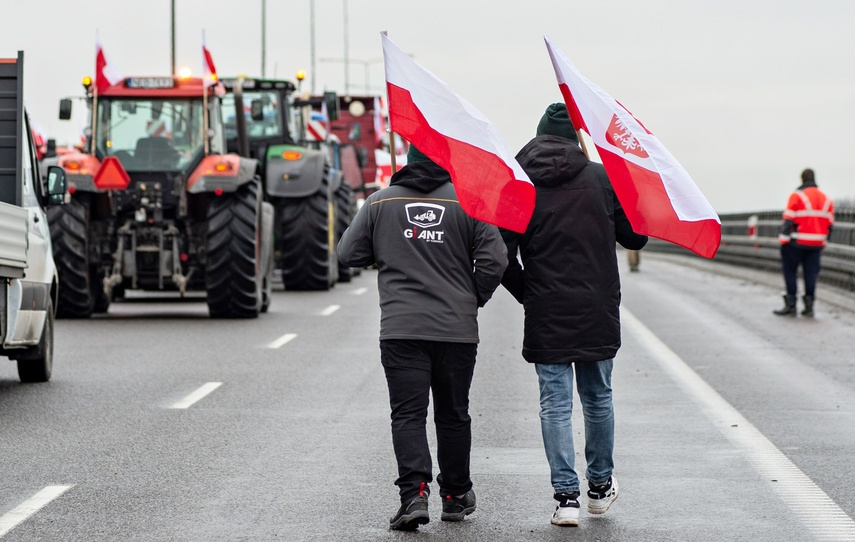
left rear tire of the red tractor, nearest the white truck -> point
(81, 292)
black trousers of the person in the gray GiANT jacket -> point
(413, 369)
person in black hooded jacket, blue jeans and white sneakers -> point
(569, 286)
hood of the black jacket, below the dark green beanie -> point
(551, 160)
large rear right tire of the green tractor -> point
(306, 257)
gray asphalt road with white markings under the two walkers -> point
(160, 424)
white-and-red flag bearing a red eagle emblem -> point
(657, 194)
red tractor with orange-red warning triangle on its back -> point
(157, 203)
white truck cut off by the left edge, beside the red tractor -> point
(28, 277)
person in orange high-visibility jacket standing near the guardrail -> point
(804, 233)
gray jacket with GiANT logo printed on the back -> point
(436, 264)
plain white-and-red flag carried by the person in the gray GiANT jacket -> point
(490, 184)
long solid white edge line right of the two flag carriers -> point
(817, 511)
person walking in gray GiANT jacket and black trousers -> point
(436, 267)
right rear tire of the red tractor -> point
(233, 272)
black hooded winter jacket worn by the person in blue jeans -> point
(568, 283)
